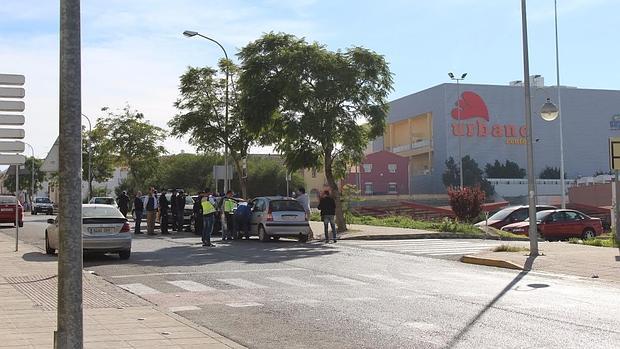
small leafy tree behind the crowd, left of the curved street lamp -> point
(133, 142)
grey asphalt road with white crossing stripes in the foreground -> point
(351, 295)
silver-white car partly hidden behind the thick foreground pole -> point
(104, 229)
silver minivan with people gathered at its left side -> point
(277, 216)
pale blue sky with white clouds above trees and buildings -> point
(133, 51)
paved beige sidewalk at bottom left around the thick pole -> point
(113, 318)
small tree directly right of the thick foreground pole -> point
(101, 158)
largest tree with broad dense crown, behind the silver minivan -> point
(309, 103)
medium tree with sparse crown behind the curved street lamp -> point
(203, 106)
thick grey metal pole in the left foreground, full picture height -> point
(70, 332)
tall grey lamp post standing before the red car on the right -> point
(533, 228)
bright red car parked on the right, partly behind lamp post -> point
(560, 224)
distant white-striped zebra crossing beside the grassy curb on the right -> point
(427, 247)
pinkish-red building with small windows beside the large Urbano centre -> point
(381, 173)
